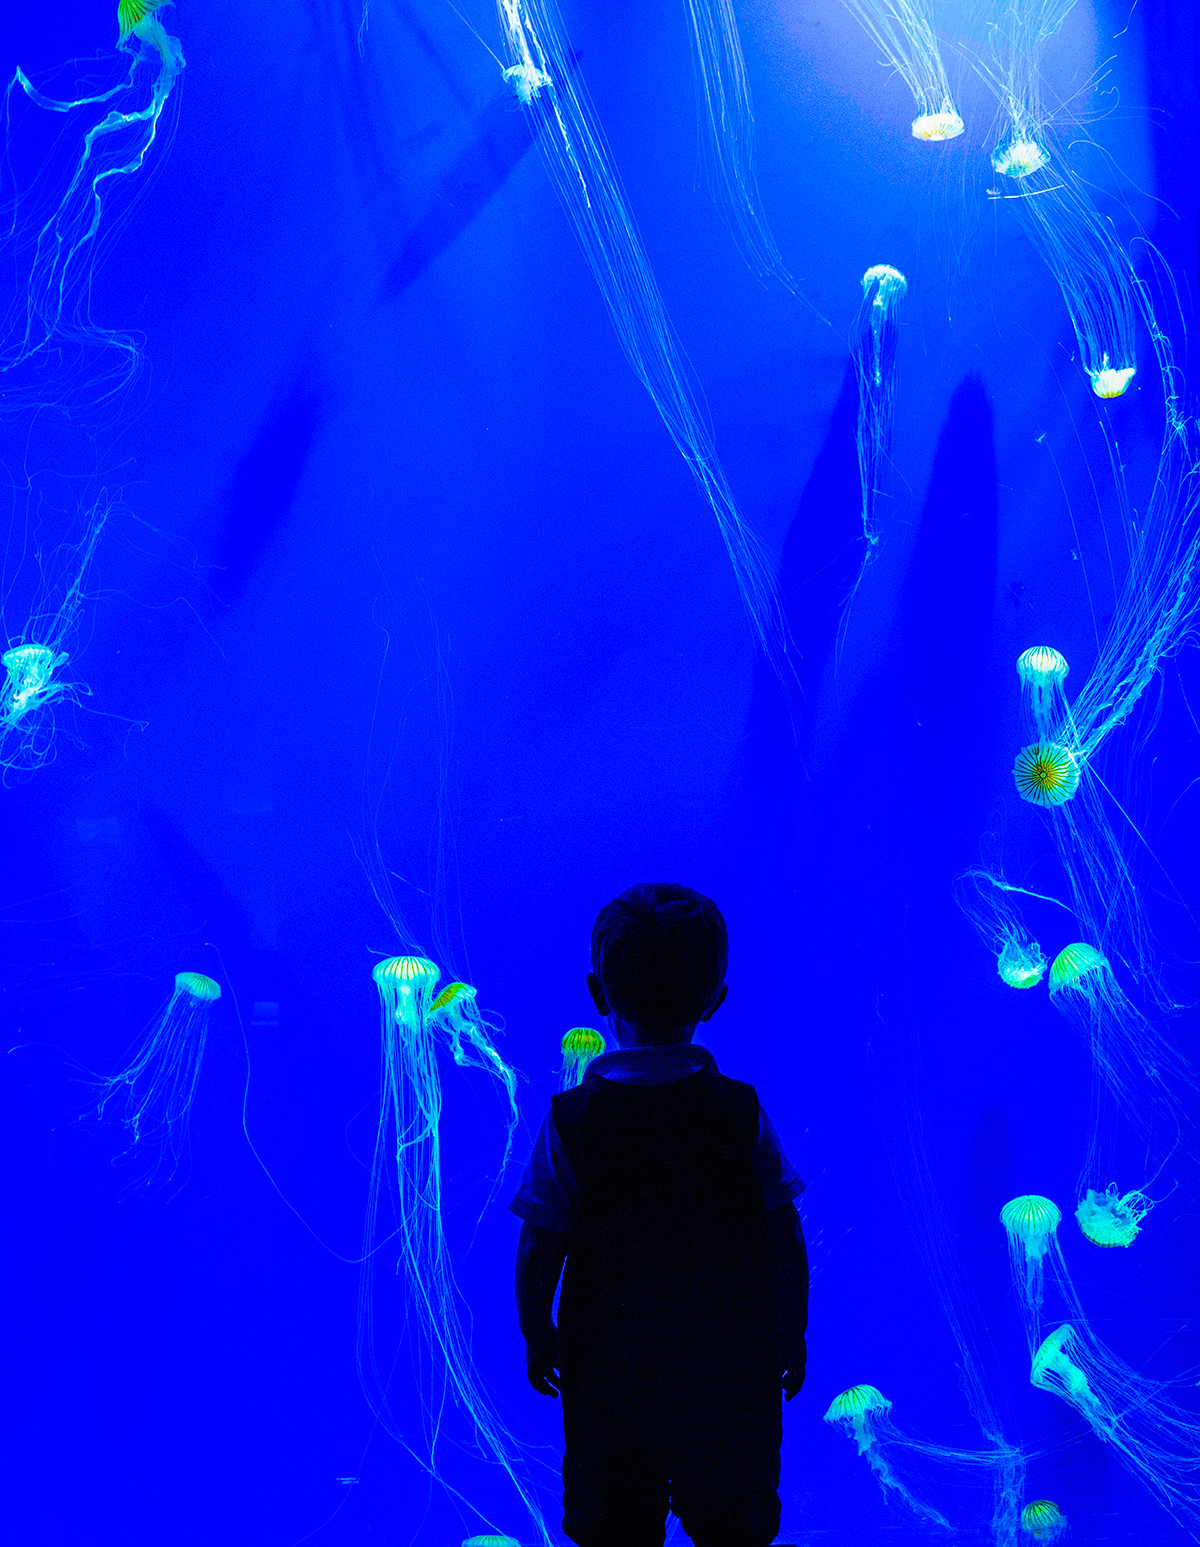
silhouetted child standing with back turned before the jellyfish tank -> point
(661, 1186)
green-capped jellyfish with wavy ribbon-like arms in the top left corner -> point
(52, 231)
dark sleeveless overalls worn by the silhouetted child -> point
(669, 1325)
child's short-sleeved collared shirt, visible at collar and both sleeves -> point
(548, 1192)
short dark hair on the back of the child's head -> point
(661, 955)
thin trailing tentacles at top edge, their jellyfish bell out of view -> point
(729, 135)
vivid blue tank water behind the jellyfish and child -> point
(395, 511)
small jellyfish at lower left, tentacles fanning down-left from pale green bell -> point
(155, 1090)
